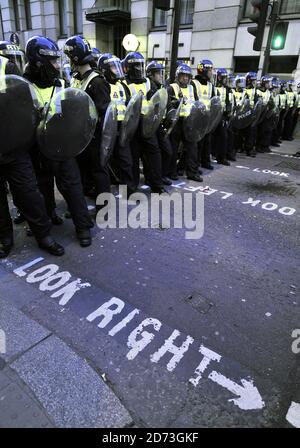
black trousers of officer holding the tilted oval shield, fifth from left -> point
(148, 150)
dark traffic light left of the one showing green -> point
(259, 16)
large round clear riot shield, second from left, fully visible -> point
(68, 124)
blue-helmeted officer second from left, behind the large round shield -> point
(43, 71)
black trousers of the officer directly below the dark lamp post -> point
(188, 157)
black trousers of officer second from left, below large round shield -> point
(67, 176)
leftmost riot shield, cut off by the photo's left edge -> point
(19, 111)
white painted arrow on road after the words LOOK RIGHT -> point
(249, 397)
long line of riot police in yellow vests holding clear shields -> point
(93, 124)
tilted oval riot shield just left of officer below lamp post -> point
(156, 111)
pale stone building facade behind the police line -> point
(212, 29)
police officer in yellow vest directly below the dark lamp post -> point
(182, 88)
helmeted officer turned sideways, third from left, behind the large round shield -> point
(94, 172)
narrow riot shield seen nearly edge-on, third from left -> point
(109, 133)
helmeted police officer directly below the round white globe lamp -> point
(111, 68)
